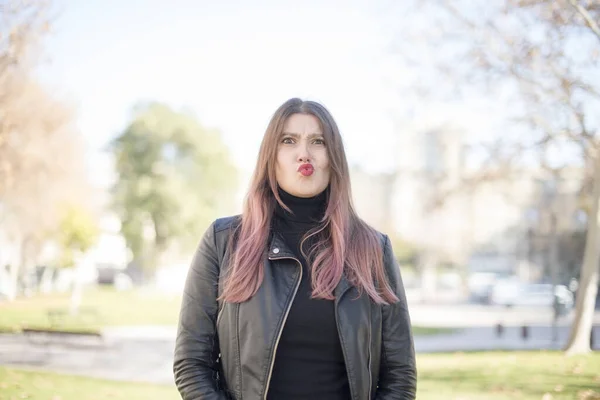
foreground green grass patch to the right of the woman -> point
(508, 375)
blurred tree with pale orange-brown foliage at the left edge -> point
(35, 127)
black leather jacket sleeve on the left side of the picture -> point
(196, 346)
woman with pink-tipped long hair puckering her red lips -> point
(297, 298)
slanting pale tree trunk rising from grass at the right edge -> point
(581, 330)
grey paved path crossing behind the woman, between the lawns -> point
(150, 359)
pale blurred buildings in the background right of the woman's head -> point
(500, 226)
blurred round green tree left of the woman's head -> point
(174, 177)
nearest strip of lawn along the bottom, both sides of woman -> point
(452, 376)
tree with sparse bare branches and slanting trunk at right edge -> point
(541, 58)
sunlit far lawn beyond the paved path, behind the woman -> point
(102, 307)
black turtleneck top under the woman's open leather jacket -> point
(309, 363)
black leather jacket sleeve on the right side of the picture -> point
(398, 372)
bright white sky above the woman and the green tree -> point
(231, 63)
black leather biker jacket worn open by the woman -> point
(376, 340)
